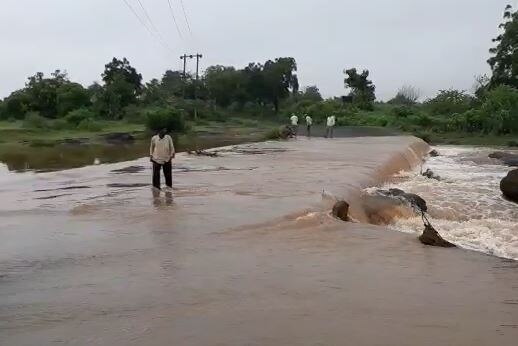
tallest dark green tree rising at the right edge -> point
(504, 62)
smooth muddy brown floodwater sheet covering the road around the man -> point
(242, 252)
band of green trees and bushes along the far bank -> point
(263, 93)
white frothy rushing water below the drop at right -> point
(466, 206)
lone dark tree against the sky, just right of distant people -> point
(362, 89)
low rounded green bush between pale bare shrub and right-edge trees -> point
(449, 102)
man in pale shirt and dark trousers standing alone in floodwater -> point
(162, 152)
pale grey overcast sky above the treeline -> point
(431, 44)
